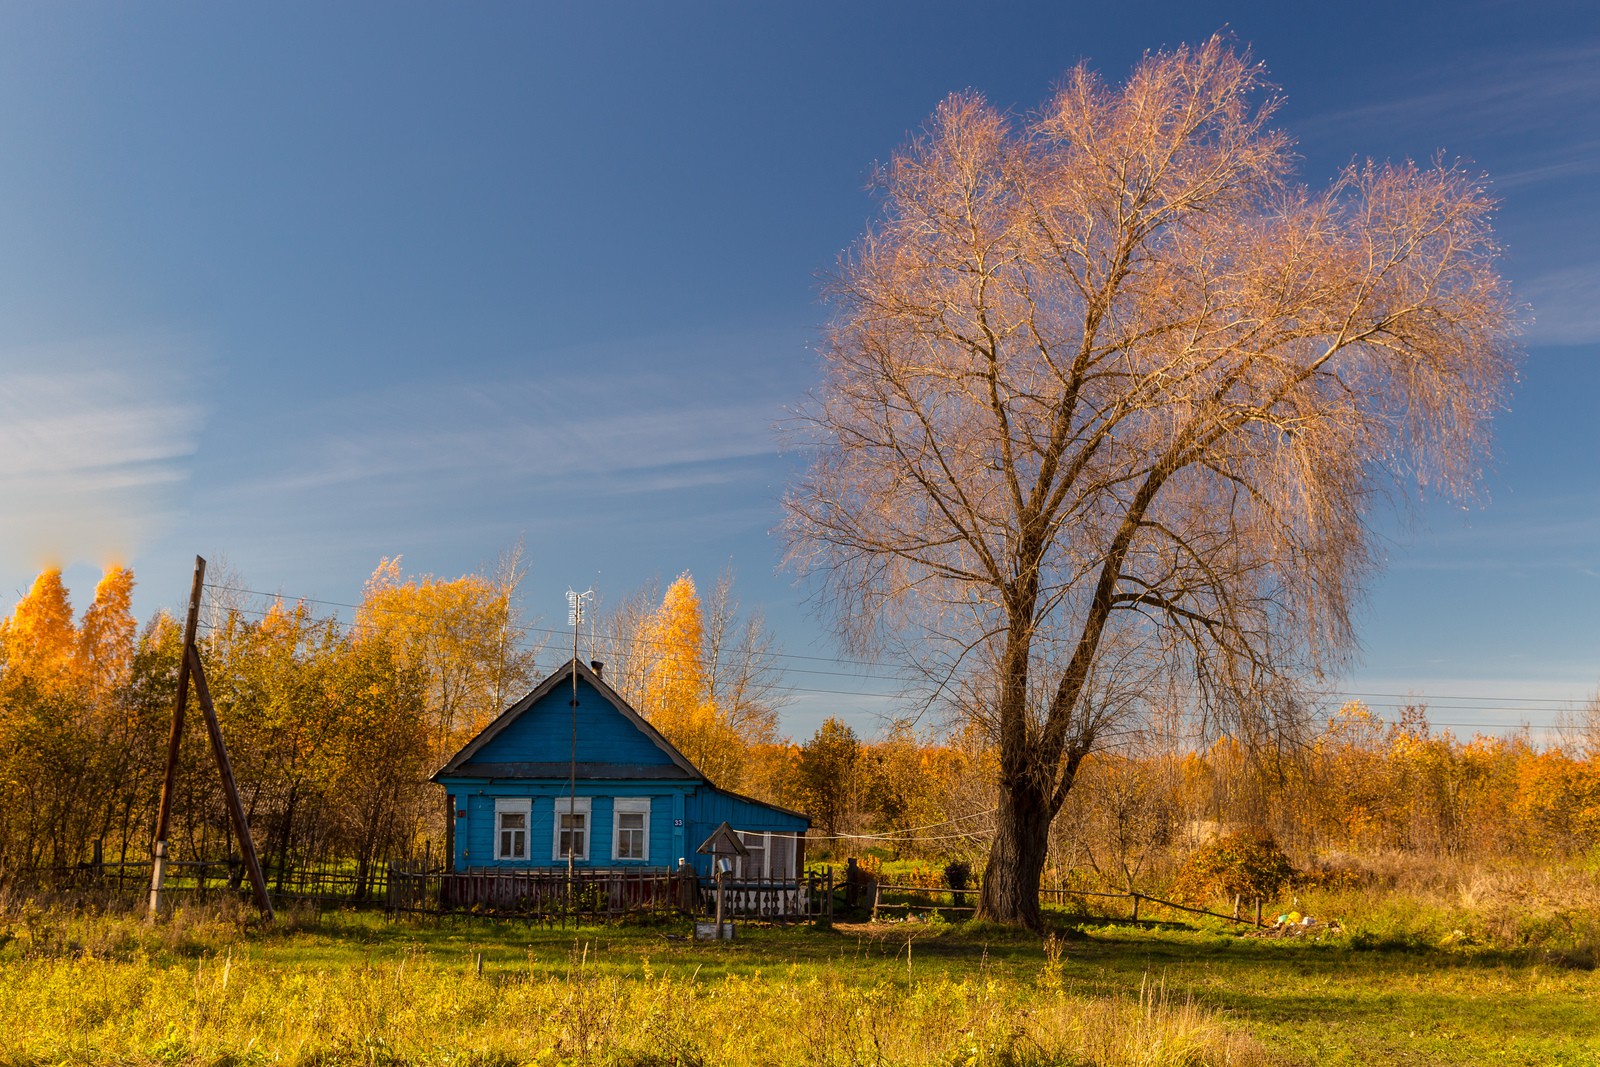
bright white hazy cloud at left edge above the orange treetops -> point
(95, 439)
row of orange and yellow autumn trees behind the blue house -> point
(334, 729)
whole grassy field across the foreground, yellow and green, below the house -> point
(356, 989)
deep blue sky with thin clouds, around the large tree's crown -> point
(308, 286)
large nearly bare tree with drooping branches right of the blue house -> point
(1108, 399)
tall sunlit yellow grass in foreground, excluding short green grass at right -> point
(108, 991)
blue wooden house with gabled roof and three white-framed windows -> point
(554, 775)
